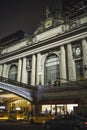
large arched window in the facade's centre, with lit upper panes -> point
(52, 68)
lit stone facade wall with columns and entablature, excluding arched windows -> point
(68, 41)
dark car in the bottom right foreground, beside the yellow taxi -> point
(66, 122)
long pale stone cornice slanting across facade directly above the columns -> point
(41, 47)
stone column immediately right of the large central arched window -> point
(63, 65)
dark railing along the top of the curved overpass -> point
(14, 82)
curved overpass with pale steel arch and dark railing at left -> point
(17, 88)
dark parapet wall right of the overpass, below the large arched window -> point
(62, 86)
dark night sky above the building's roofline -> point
(23, 15)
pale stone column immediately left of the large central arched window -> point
(39, 69)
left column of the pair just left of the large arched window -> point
(33, 70)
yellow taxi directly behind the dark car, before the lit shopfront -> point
(40, 118)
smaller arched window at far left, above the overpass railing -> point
(13, 73)
